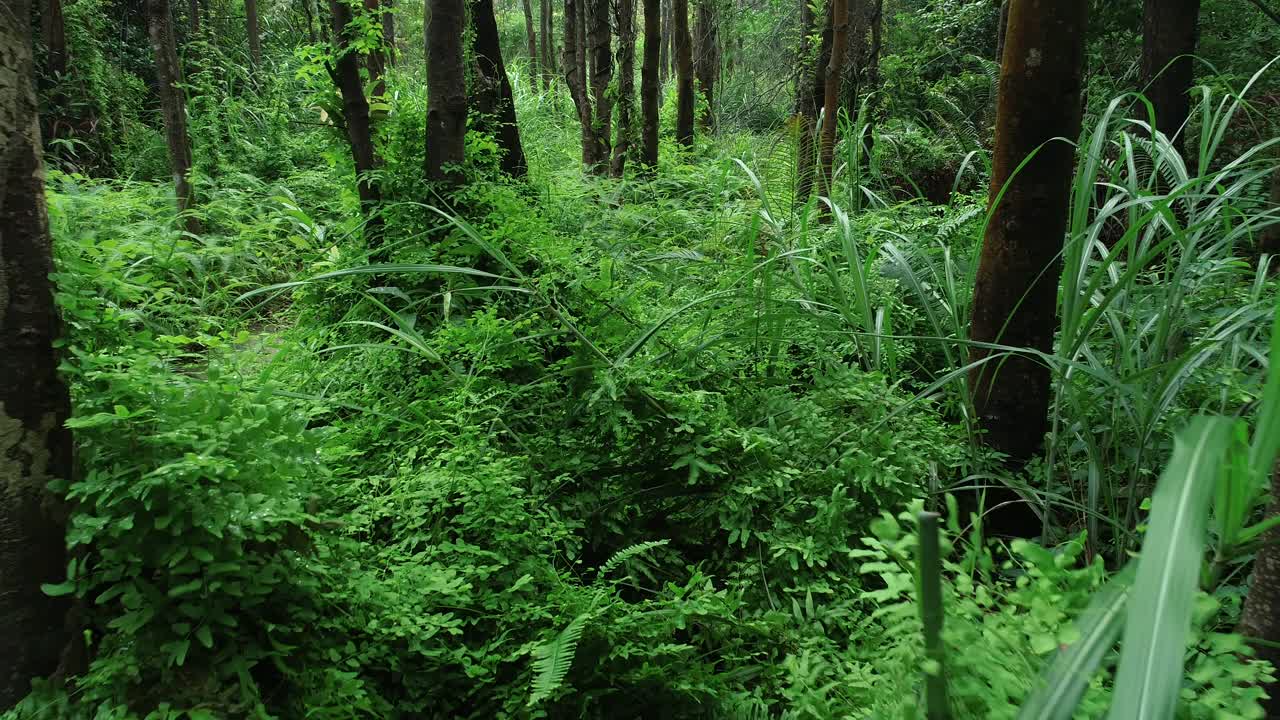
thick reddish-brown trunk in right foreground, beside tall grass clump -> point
(1016, 294)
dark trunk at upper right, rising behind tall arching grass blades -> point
(1169, 35)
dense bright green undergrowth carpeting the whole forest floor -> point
(619, 449)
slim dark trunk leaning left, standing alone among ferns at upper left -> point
(173, 104)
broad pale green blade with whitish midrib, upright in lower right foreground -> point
(1160, 614)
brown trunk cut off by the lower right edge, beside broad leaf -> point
(1261, 617)
